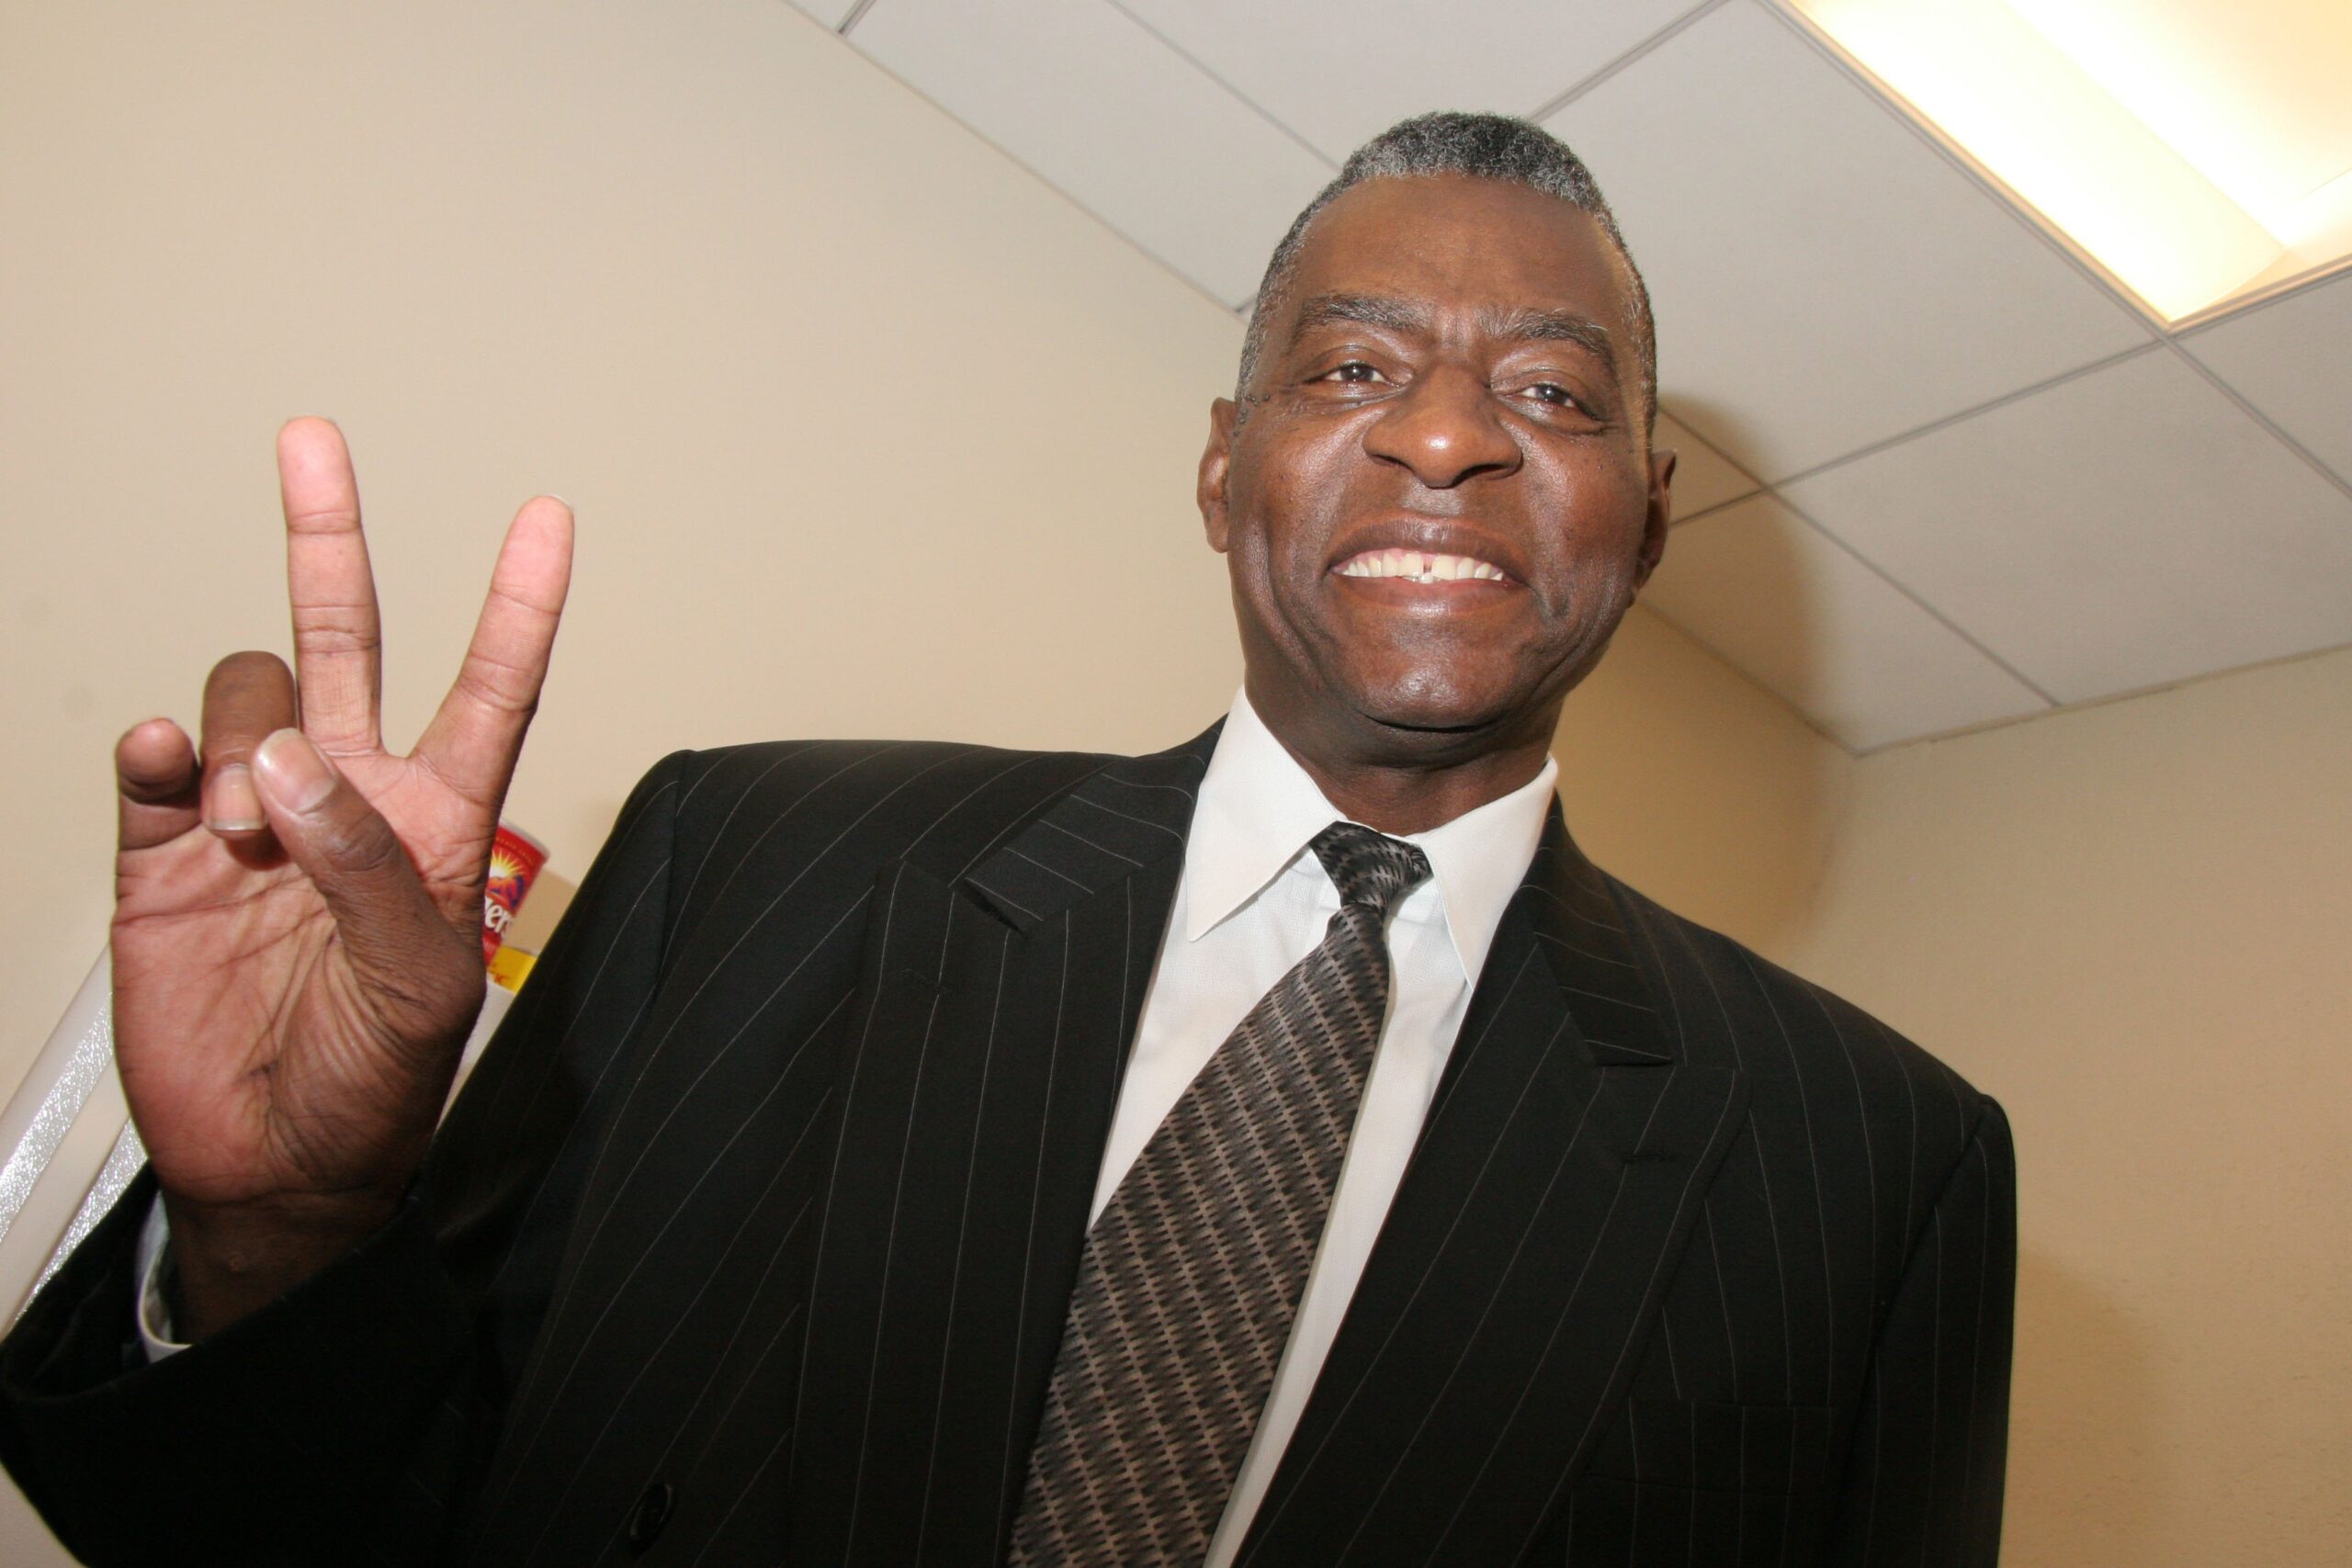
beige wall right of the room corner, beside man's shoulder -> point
(2134, 925)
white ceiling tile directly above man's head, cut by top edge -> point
(1339, 72)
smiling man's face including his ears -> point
(1443, 497)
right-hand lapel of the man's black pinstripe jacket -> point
(1514, 1285)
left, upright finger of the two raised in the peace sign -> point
(338, 636)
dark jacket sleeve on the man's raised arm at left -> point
(373, 1391)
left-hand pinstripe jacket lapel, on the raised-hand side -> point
(998, 1003)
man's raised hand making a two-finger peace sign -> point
(298, 911)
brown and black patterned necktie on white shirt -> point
(1191, 1278)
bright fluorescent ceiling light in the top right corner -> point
(2198, 149)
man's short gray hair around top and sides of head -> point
(1481, 147)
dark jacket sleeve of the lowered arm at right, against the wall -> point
(1930, 1447)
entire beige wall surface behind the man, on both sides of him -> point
(869, 431)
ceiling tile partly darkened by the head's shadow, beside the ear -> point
(1798, 615)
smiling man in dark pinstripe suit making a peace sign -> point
(1278, 1151)
